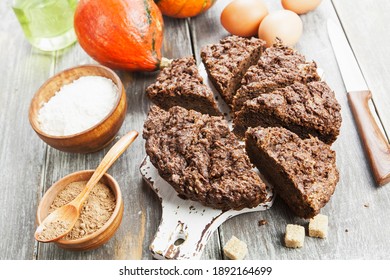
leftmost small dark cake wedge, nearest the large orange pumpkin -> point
(180, 84)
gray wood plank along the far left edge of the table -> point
(21, 152)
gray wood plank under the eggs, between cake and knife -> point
(351, 226)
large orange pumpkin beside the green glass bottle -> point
(121, 34)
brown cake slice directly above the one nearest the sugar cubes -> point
(306, 110)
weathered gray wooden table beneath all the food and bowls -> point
(359, 211)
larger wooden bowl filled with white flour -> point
(94, 138)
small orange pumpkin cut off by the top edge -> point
(184, 8)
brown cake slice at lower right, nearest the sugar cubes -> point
(303, 172)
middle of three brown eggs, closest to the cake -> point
(284, 24)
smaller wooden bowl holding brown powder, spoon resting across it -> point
(100, 236)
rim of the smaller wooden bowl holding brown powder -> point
(119, 201)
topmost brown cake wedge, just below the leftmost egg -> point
(227, 62)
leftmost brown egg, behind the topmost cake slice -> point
(243, 17)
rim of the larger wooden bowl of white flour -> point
(117, 82)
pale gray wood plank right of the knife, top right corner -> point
(367, 29)
